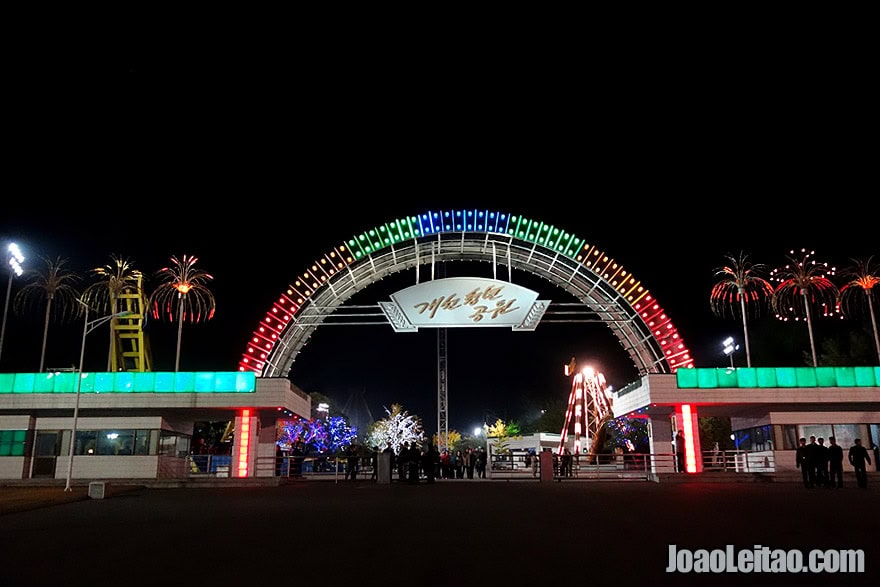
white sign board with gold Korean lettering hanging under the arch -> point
(464, 302)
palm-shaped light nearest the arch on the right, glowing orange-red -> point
(741, 286)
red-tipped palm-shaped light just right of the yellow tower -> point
(184, 296)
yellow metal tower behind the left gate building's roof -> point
(131, 347)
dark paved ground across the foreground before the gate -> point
(449, 533)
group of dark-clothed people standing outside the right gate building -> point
(822, 466)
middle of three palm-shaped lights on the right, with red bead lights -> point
(804, 287)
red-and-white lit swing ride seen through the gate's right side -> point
(589, 409)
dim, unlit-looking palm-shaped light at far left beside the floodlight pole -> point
(55, 286)
